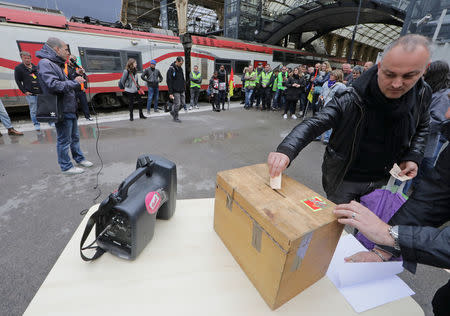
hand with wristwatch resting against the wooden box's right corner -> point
(361, 218)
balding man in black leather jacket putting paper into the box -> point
(381, 120)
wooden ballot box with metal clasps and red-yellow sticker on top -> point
(283, 239)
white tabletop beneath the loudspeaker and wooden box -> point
(185, 270)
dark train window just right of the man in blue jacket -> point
(97, 60)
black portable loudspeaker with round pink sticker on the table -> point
(125, 221)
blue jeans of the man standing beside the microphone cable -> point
(68, 137)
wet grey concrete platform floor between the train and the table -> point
(40, 207)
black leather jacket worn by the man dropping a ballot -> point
(345, 115)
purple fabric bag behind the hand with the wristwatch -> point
(384, 203)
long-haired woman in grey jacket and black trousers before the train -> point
(131, 83)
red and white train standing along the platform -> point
(103, 52)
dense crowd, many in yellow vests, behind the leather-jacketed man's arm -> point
(303, 87)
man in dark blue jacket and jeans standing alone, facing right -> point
(53, 80)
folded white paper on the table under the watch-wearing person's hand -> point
(365, 285)
